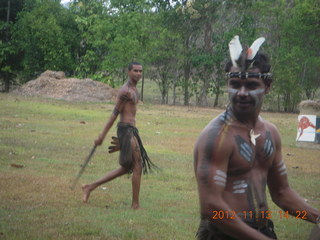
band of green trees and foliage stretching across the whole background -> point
(183, 44)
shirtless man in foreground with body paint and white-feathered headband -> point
(237, 155)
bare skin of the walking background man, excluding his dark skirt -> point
(126, 107)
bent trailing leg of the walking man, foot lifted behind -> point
(88, 188)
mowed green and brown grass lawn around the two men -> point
(43, 143)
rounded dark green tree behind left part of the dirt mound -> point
(46, 37)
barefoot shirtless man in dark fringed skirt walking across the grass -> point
(133, 157)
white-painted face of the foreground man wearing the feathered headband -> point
(246, 95)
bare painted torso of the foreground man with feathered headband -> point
(248, 163)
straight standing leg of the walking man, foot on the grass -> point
(136, 175)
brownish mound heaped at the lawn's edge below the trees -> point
(55, 85)
